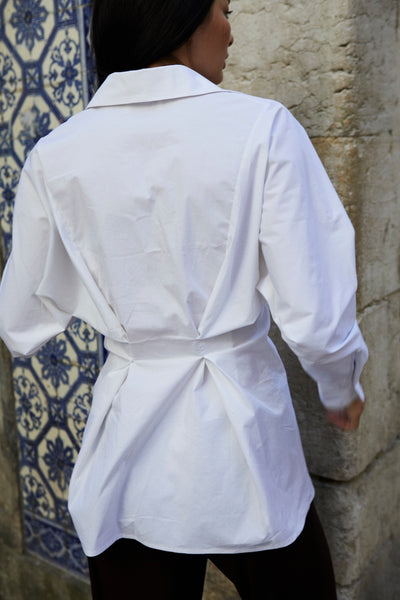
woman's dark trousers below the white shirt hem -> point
(130, 571)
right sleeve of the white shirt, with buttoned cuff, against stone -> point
(308, 274)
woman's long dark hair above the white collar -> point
(132, 34)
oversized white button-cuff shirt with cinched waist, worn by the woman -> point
(171, 215)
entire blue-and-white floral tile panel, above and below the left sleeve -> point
(46, 75)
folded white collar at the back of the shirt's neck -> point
(151, 85)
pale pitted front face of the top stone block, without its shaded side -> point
(298, 54)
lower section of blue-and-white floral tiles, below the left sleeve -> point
(52, 404)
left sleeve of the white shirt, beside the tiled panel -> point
(26, 320)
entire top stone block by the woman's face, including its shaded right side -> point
(334, 64)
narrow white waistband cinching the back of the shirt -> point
(164, 348)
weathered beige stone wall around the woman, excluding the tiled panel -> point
(336, 65)
